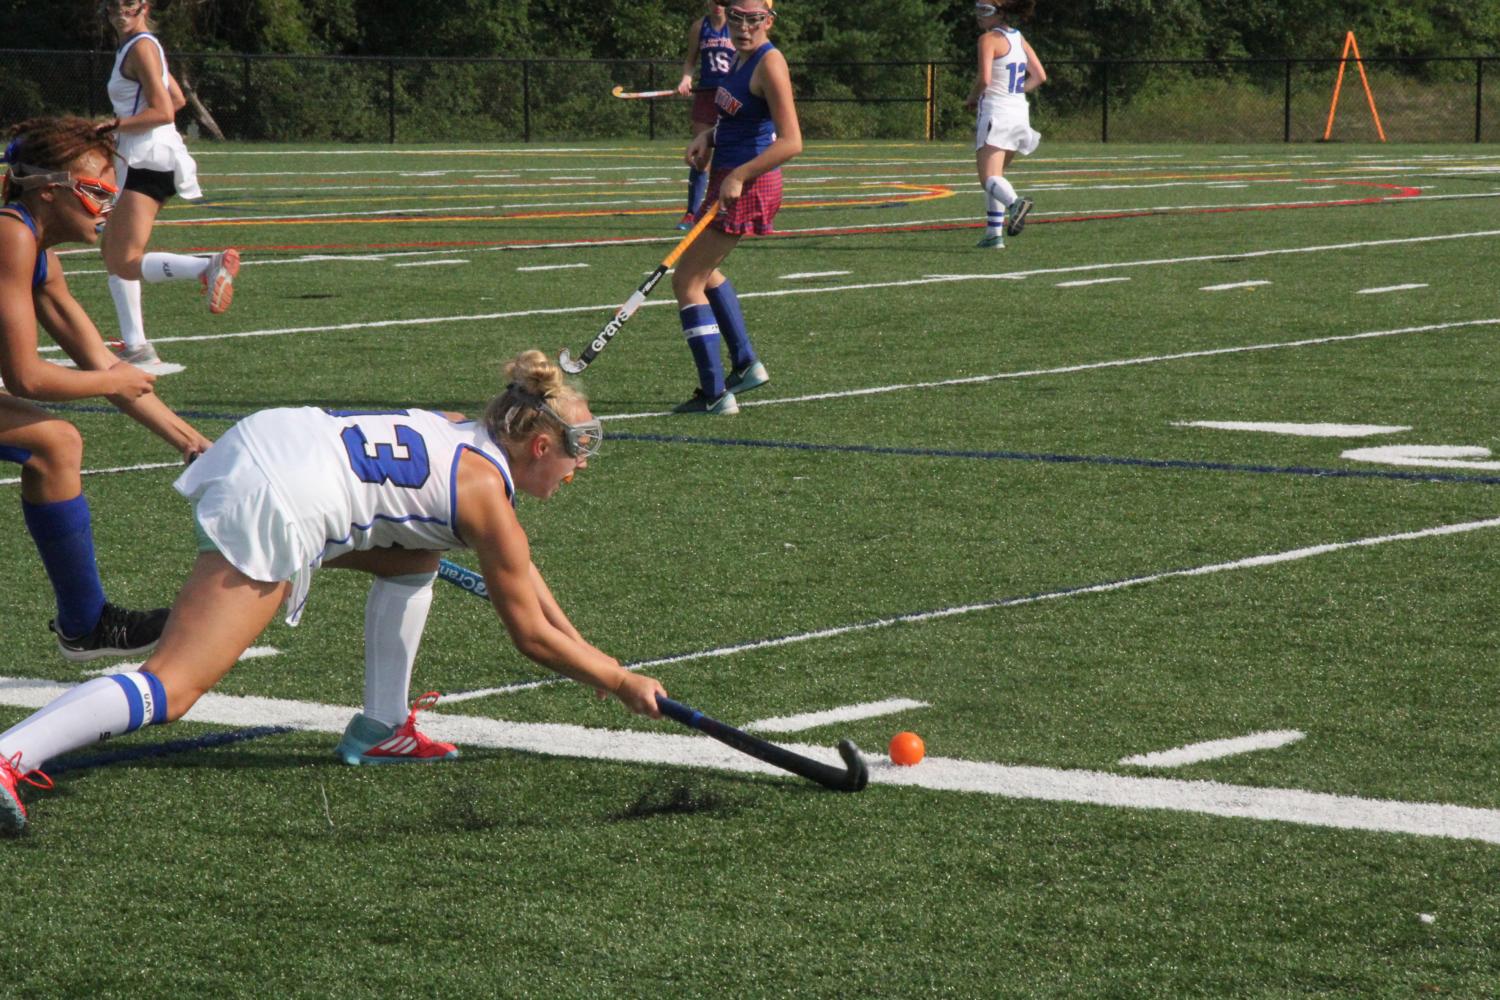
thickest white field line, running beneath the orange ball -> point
(946, 774)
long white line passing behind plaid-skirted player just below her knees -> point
(611, 308)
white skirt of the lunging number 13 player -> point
(253, 525)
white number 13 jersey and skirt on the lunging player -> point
(287, 490)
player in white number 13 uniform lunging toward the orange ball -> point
(287, 491)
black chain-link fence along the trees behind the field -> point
(370, 100)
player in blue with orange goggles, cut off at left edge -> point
(58, 188)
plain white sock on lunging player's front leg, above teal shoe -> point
(395, 615)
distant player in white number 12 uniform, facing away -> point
(1009, 71)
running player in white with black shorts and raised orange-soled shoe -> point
(154, 166)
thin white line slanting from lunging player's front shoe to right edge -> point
(1250, 563)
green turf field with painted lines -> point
(979, 482)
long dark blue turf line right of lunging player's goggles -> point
(1067, 460)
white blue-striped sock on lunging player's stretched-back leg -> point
(91, 713)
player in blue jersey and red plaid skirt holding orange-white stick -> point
(755, 136)
